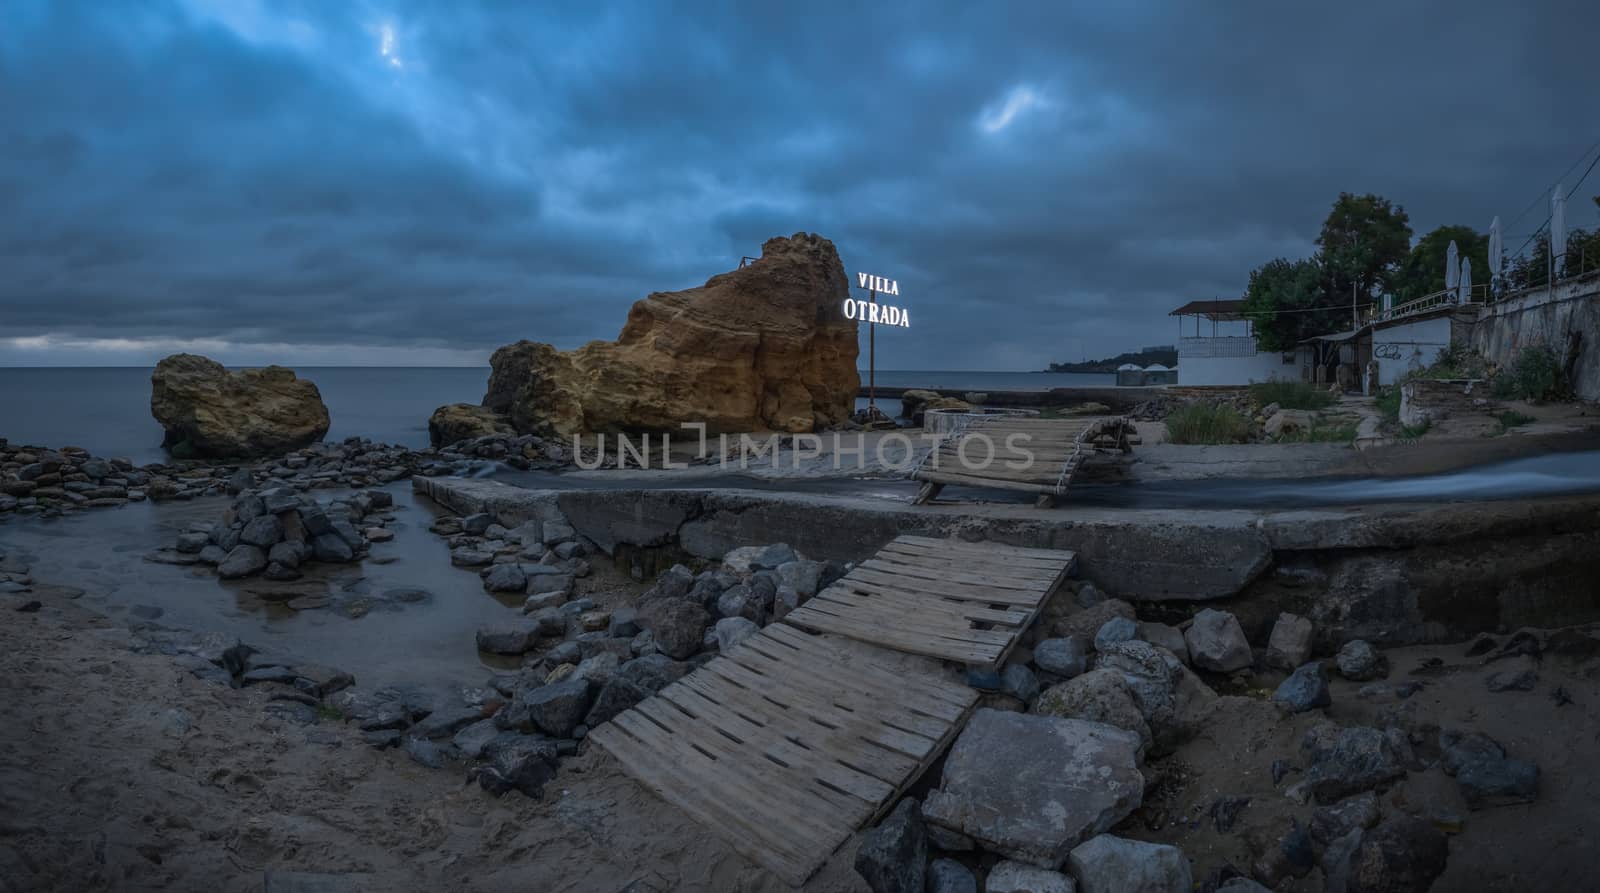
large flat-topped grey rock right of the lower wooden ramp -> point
(1031, 788)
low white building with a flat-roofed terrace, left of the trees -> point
(1225, 351)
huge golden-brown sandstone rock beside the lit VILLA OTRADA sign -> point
(762, 348)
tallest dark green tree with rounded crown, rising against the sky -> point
(1364, 242)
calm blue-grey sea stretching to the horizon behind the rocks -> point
(106, 410)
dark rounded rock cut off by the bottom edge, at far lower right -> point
(1401, 855)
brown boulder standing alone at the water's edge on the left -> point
(209, 410)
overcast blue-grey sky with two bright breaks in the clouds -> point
(420, 183)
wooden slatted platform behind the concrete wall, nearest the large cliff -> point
(1058, 449)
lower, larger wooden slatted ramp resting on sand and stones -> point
(790, 743)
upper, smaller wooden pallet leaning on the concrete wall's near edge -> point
(966, 603)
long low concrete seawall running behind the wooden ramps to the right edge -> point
(1393, 574)
